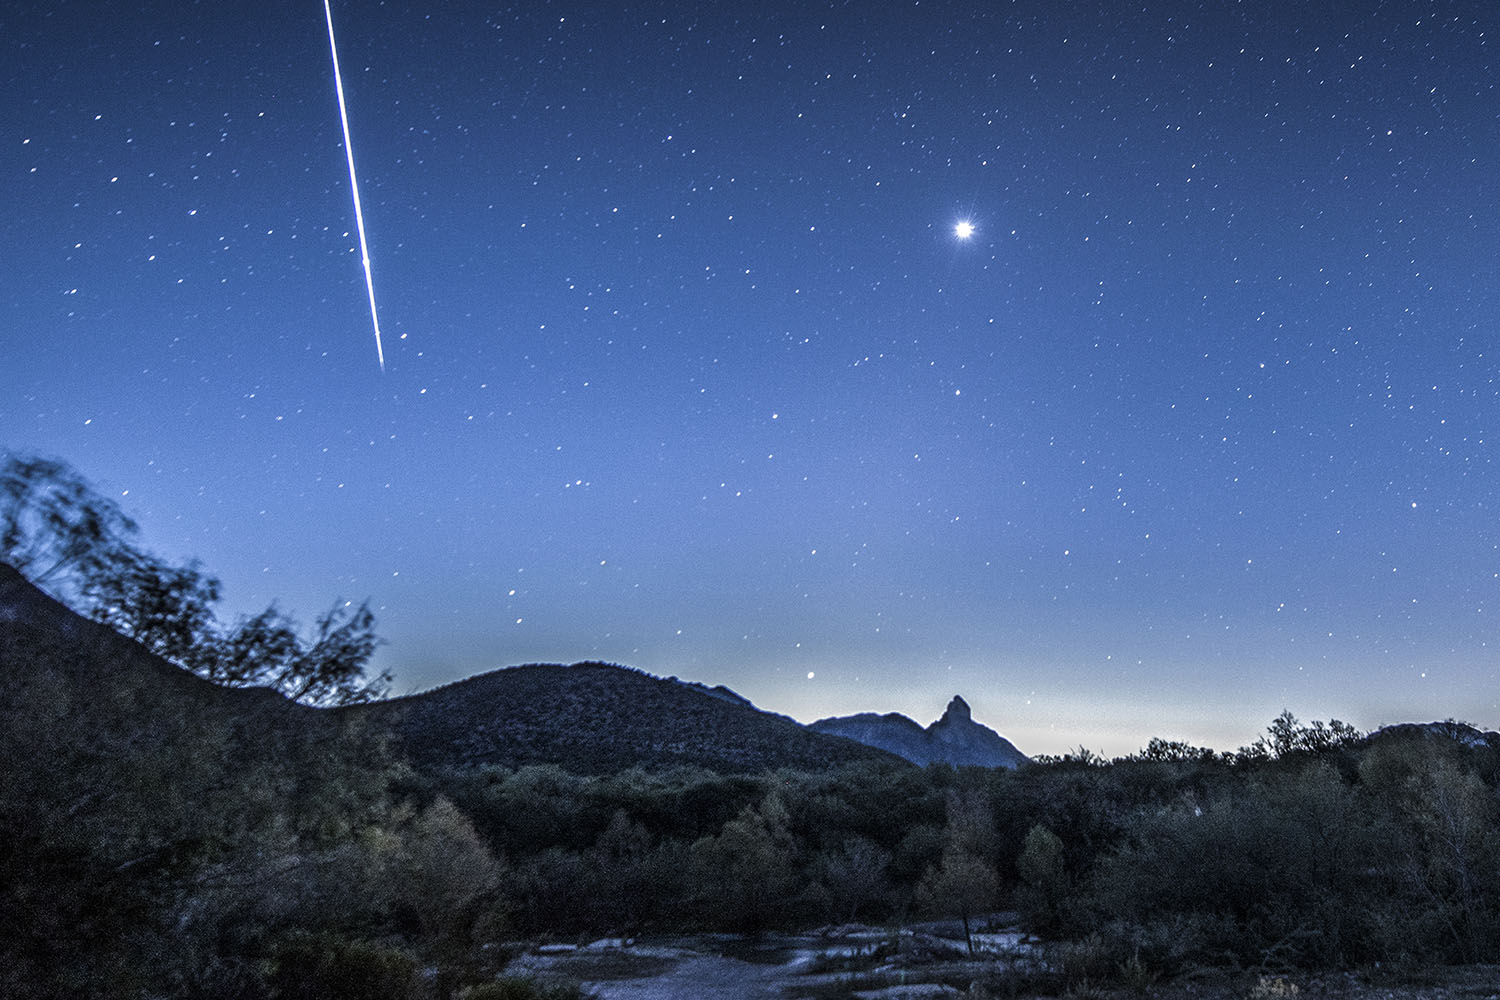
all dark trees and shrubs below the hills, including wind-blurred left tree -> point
(167, 837)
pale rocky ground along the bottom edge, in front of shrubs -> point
(926, 963)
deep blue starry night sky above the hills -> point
(691, 370)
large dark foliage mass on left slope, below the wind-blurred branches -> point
(155, 831)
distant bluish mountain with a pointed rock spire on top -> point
(955, 738)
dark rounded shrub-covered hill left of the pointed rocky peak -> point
(598, 719)
